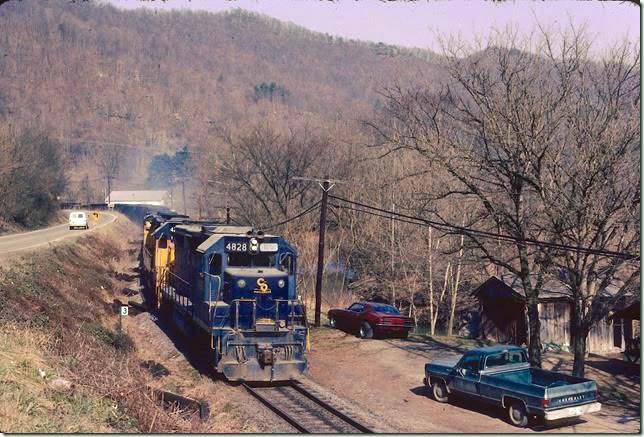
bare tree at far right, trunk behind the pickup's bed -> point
(590, 189)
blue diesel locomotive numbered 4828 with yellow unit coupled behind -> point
(231, 289)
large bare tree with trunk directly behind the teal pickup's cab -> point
(498, 127)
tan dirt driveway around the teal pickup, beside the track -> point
(385, 378)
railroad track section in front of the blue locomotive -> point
(304, 410)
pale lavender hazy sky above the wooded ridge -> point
(417, 24)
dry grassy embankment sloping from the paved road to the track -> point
(57, 314)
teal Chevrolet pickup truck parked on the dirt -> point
(501, 375)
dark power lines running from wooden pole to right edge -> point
(464, 230)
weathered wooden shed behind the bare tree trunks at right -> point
(503, 317)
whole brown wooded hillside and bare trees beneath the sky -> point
(499, 143)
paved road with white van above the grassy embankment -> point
(30, 240)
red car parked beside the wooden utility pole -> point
(369, 319)
